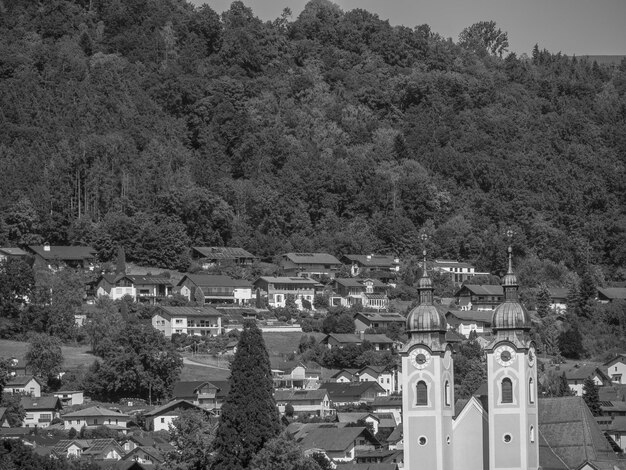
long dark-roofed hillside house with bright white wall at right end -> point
(216, 288)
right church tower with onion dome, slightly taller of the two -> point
(512, 385)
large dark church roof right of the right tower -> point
(571, 431)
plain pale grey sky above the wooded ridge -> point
(573, 27)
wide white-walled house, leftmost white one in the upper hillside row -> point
(142, 288)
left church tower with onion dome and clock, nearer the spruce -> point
(428, 386)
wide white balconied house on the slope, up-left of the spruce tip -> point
(198, 321)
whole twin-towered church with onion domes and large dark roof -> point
(508, 428)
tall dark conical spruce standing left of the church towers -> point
(249, 415)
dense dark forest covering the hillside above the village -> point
(154, 125)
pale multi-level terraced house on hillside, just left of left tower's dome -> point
(367, 293)
